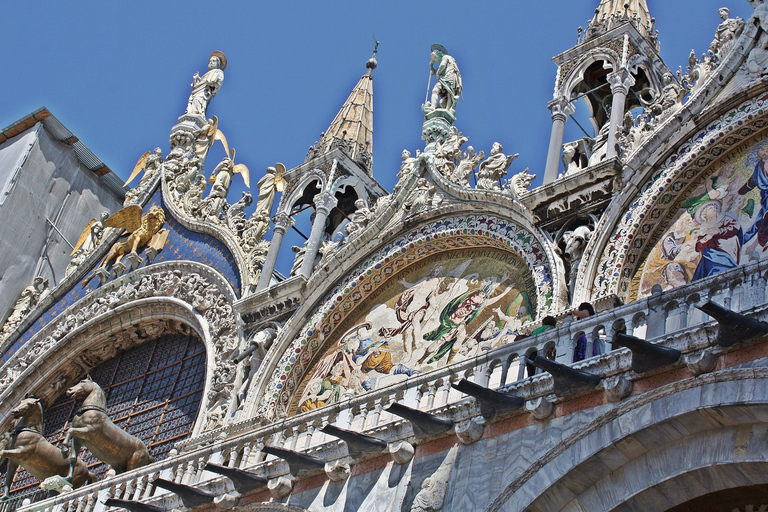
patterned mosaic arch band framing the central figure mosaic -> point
(294, 352)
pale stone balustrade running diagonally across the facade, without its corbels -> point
(744, 289)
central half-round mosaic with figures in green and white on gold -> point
(442, 309)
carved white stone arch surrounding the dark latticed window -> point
(185, 297)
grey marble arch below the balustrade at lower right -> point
(650, 430)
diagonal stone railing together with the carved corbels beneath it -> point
(670, 318)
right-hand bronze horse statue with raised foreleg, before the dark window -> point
(92, 428)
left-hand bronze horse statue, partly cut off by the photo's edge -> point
(26, 446)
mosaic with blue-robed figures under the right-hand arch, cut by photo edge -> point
(719, 226)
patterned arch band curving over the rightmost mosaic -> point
(639, 218)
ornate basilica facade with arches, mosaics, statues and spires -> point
(461, 342)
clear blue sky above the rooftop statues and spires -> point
(117, 74)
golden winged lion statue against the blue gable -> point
(143, 230)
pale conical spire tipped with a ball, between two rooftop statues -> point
(352, 128)
